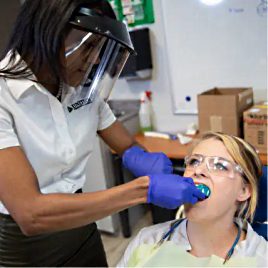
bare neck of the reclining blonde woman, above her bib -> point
(214, 237)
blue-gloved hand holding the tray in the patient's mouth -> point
(171, 191)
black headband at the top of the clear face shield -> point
(92, 21)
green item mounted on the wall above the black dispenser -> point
(134, 12)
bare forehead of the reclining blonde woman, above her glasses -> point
(212, 147)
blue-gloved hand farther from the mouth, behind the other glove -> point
(142, 163)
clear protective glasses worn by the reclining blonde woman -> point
(217, 166)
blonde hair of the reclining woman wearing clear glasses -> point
(247, 158)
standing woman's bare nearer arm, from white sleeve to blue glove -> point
(38, 213)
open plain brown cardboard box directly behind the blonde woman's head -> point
(221, 109)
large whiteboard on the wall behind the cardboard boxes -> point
(224, 45)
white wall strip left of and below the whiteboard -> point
(159, 85)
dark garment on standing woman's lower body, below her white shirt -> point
(79, 247)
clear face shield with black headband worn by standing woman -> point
(96, 50)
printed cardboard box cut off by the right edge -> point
(255, 126)
